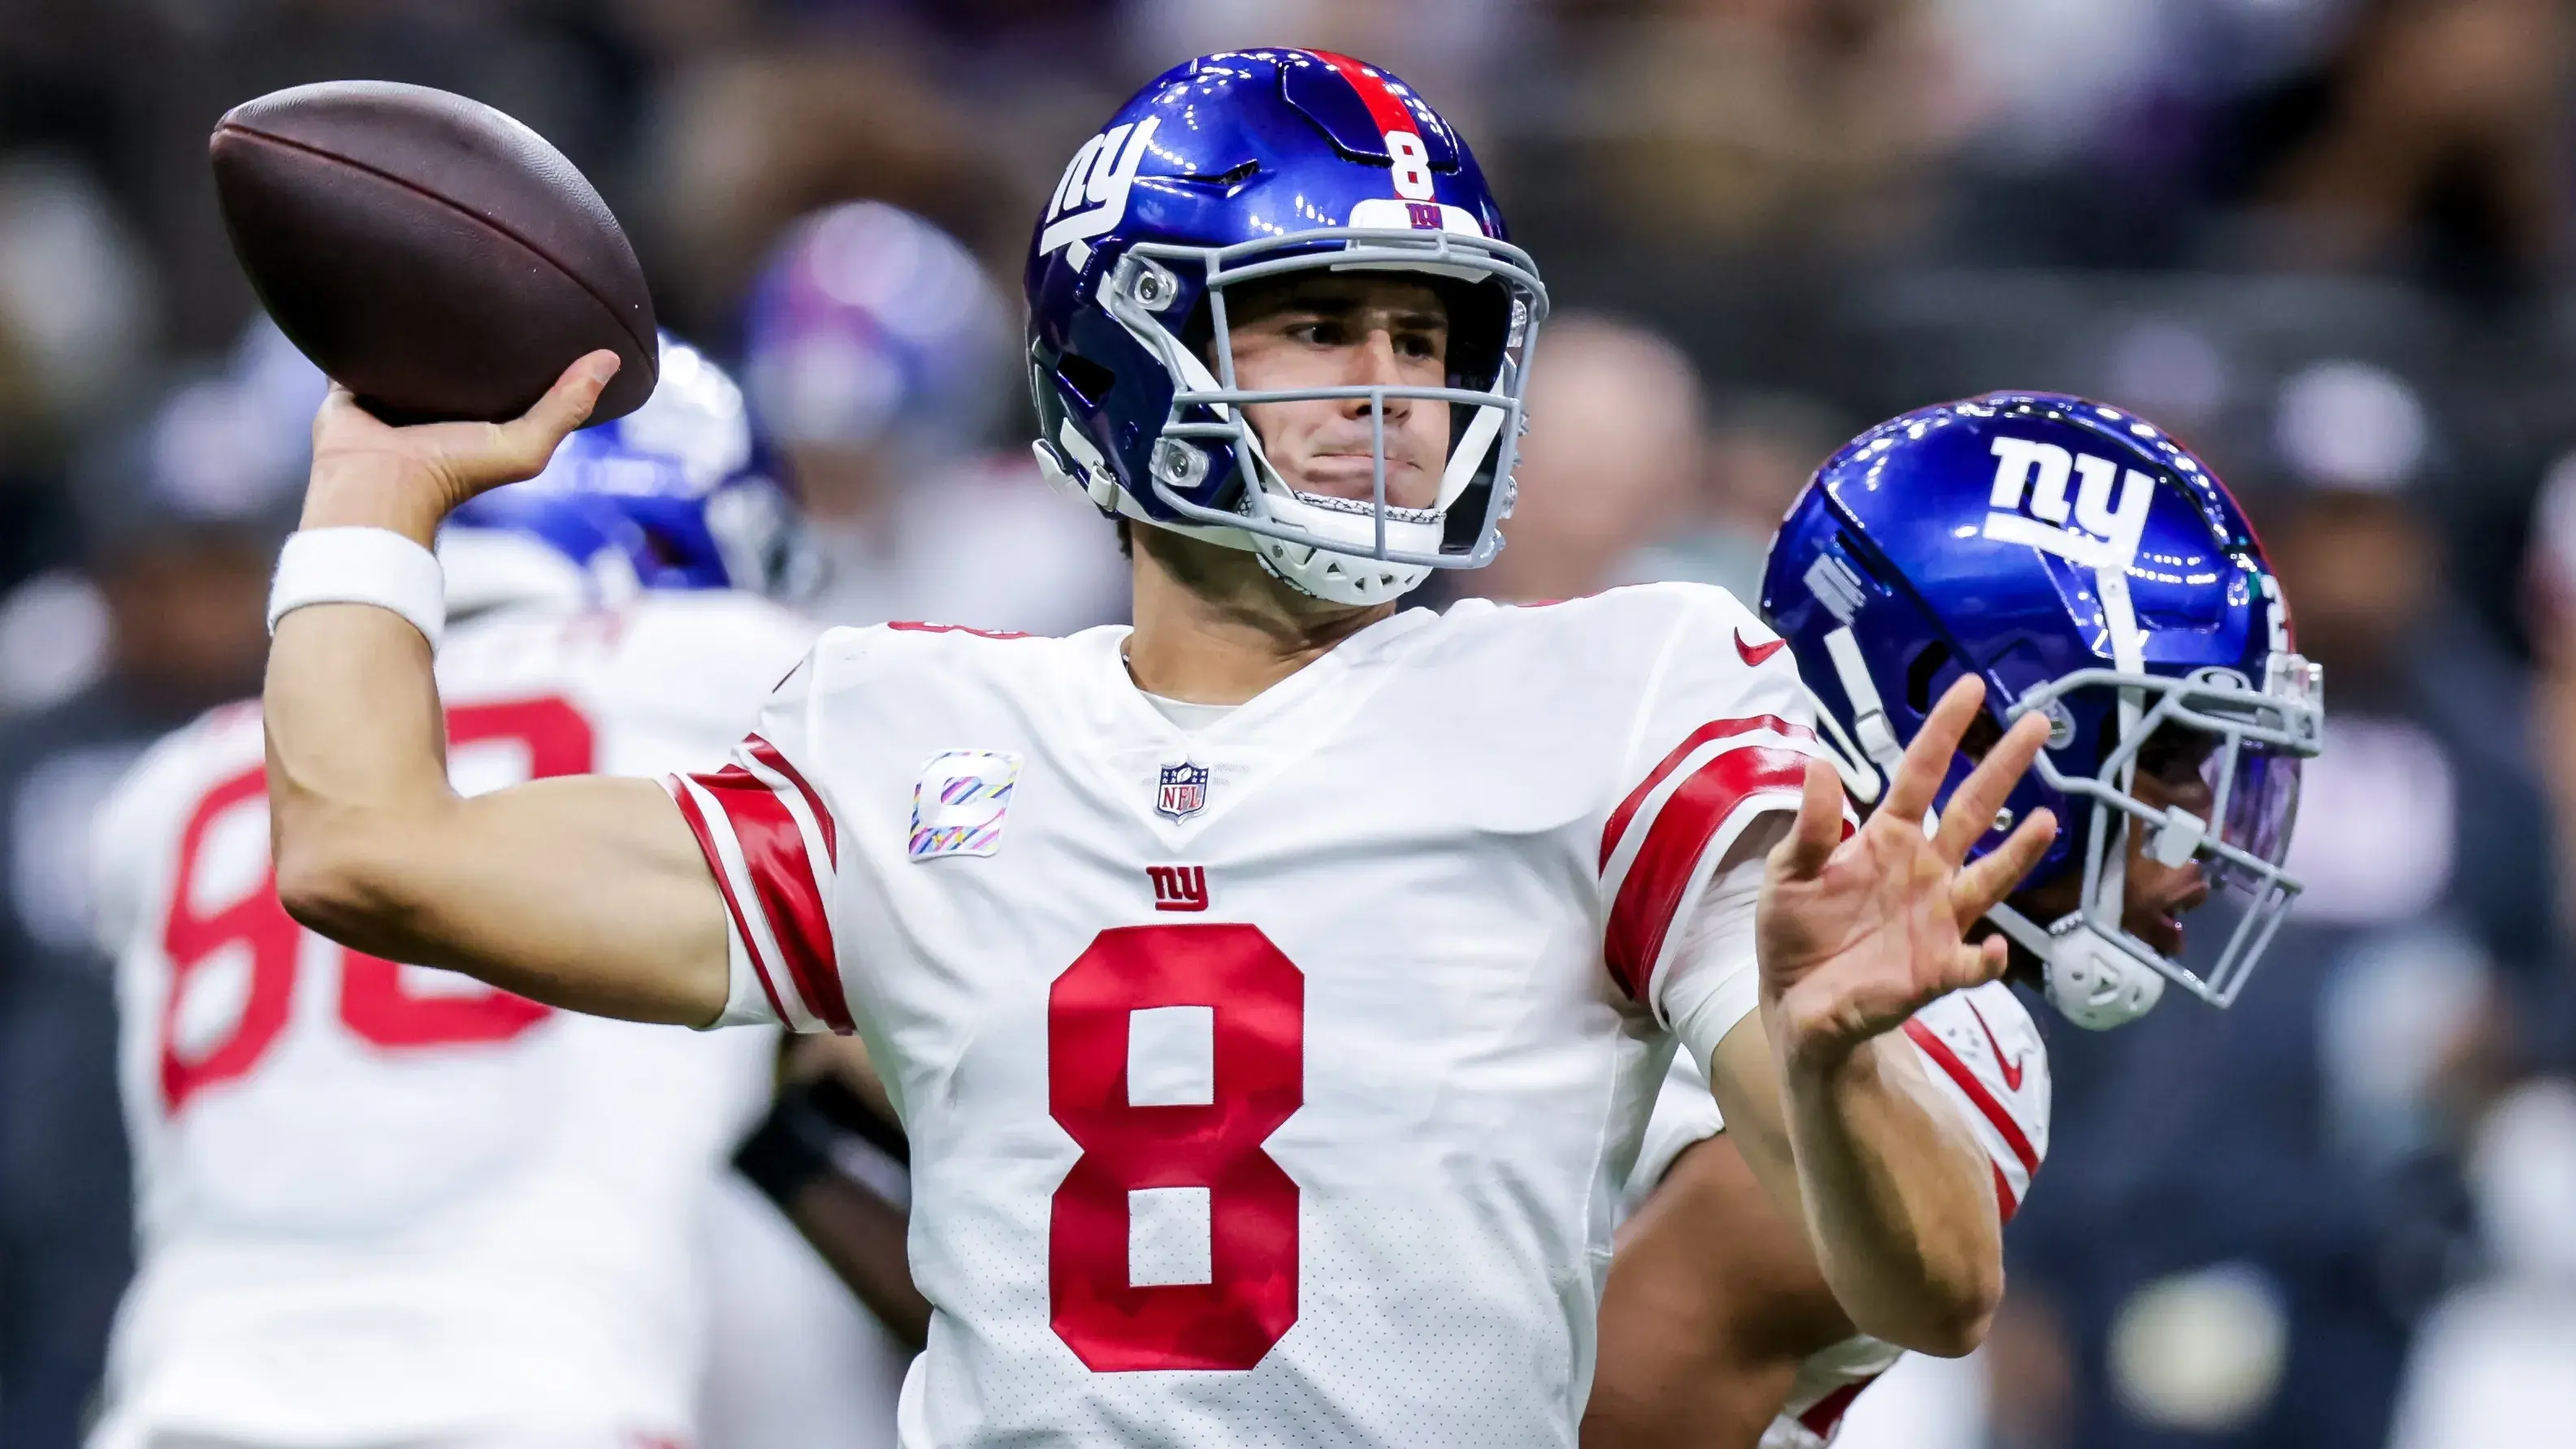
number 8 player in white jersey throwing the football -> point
(1274, 990)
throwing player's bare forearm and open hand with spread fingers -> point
(1856, 936)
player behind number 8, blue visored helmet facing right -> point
(2093, 573)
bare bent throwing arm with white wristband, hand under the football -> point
(586, 892)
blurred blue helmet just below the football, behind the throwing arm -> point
(679, 495)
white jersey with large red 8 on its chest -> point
(1266, 1082)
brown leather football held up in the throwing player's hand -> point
(426, 251)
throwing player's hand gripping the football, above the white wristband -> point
(375, 475)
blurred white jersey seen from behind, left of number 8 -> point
(383, 1203)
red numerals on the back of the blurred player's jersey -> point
(372, 995)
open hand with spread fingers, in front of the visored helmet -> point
(1861, 933)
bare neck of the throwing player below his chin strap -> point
(1217, 629)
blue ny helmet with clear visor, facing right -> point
(2088, 568)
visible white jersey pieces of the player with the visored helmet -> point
(1990, 1062)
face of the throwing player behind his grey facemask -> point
(1346, 331)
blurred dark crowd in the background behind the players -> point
(2327, 241)
